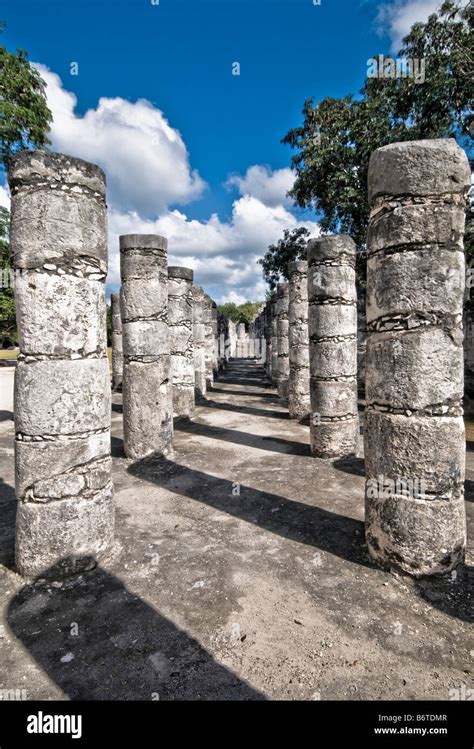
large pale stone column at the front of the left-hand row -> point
(65, 515)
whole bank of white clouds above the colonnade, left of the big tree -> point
(149, 173)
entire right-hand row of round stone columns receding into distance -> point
(411, 351)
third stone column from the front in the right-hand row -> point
(298, 383)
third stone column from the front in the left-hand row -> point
(180, 312)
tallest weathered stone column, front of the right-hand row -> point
(414, 431)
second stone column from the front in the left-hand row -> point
(147, 399)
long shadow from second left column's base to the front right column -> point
(307, 524)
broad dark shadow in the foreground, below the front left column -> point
(99, 641)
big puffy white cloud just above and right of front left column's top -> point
(145, 159)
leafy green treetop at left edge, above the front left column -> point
(24, 113)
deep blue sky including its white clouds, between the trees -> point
(169, 161)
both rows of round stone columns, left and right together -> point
(413, 427)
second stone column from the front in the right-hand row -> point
(334, 423)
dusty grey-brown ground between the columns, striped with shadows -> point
(240, 572)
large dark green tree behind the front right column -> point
(337, 136)
